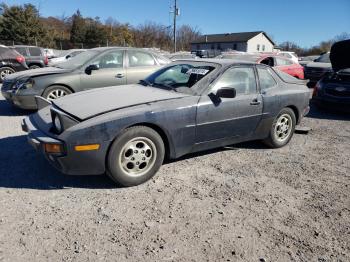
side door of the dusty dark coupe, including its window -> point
(229, 118)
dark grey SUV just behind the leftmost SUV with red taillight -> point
(35, 56)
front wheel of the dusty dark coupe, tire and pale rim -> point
(119, 153)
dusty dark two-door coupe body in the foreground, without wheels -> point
(187, 118)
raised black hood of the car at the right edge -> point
(340, 55)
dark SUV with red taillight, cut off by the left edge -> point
(10, 62)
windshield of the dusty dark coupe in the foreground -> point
(179, 77)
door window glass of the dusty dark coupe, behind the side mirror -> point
(240, 78)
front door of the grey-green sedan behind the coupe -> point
(111, 71)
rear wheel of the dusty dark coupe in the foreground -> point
(276, 137)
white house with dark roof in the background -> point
(245, 42)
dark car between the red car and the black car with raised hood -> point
(314, 71)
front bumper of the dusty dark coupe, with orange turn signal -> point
(70, 162)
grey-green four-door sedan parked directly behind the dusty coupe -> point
(99, 67)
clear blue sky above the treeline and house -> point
(306, 22)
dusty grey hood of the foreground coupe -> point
(87, 104)
